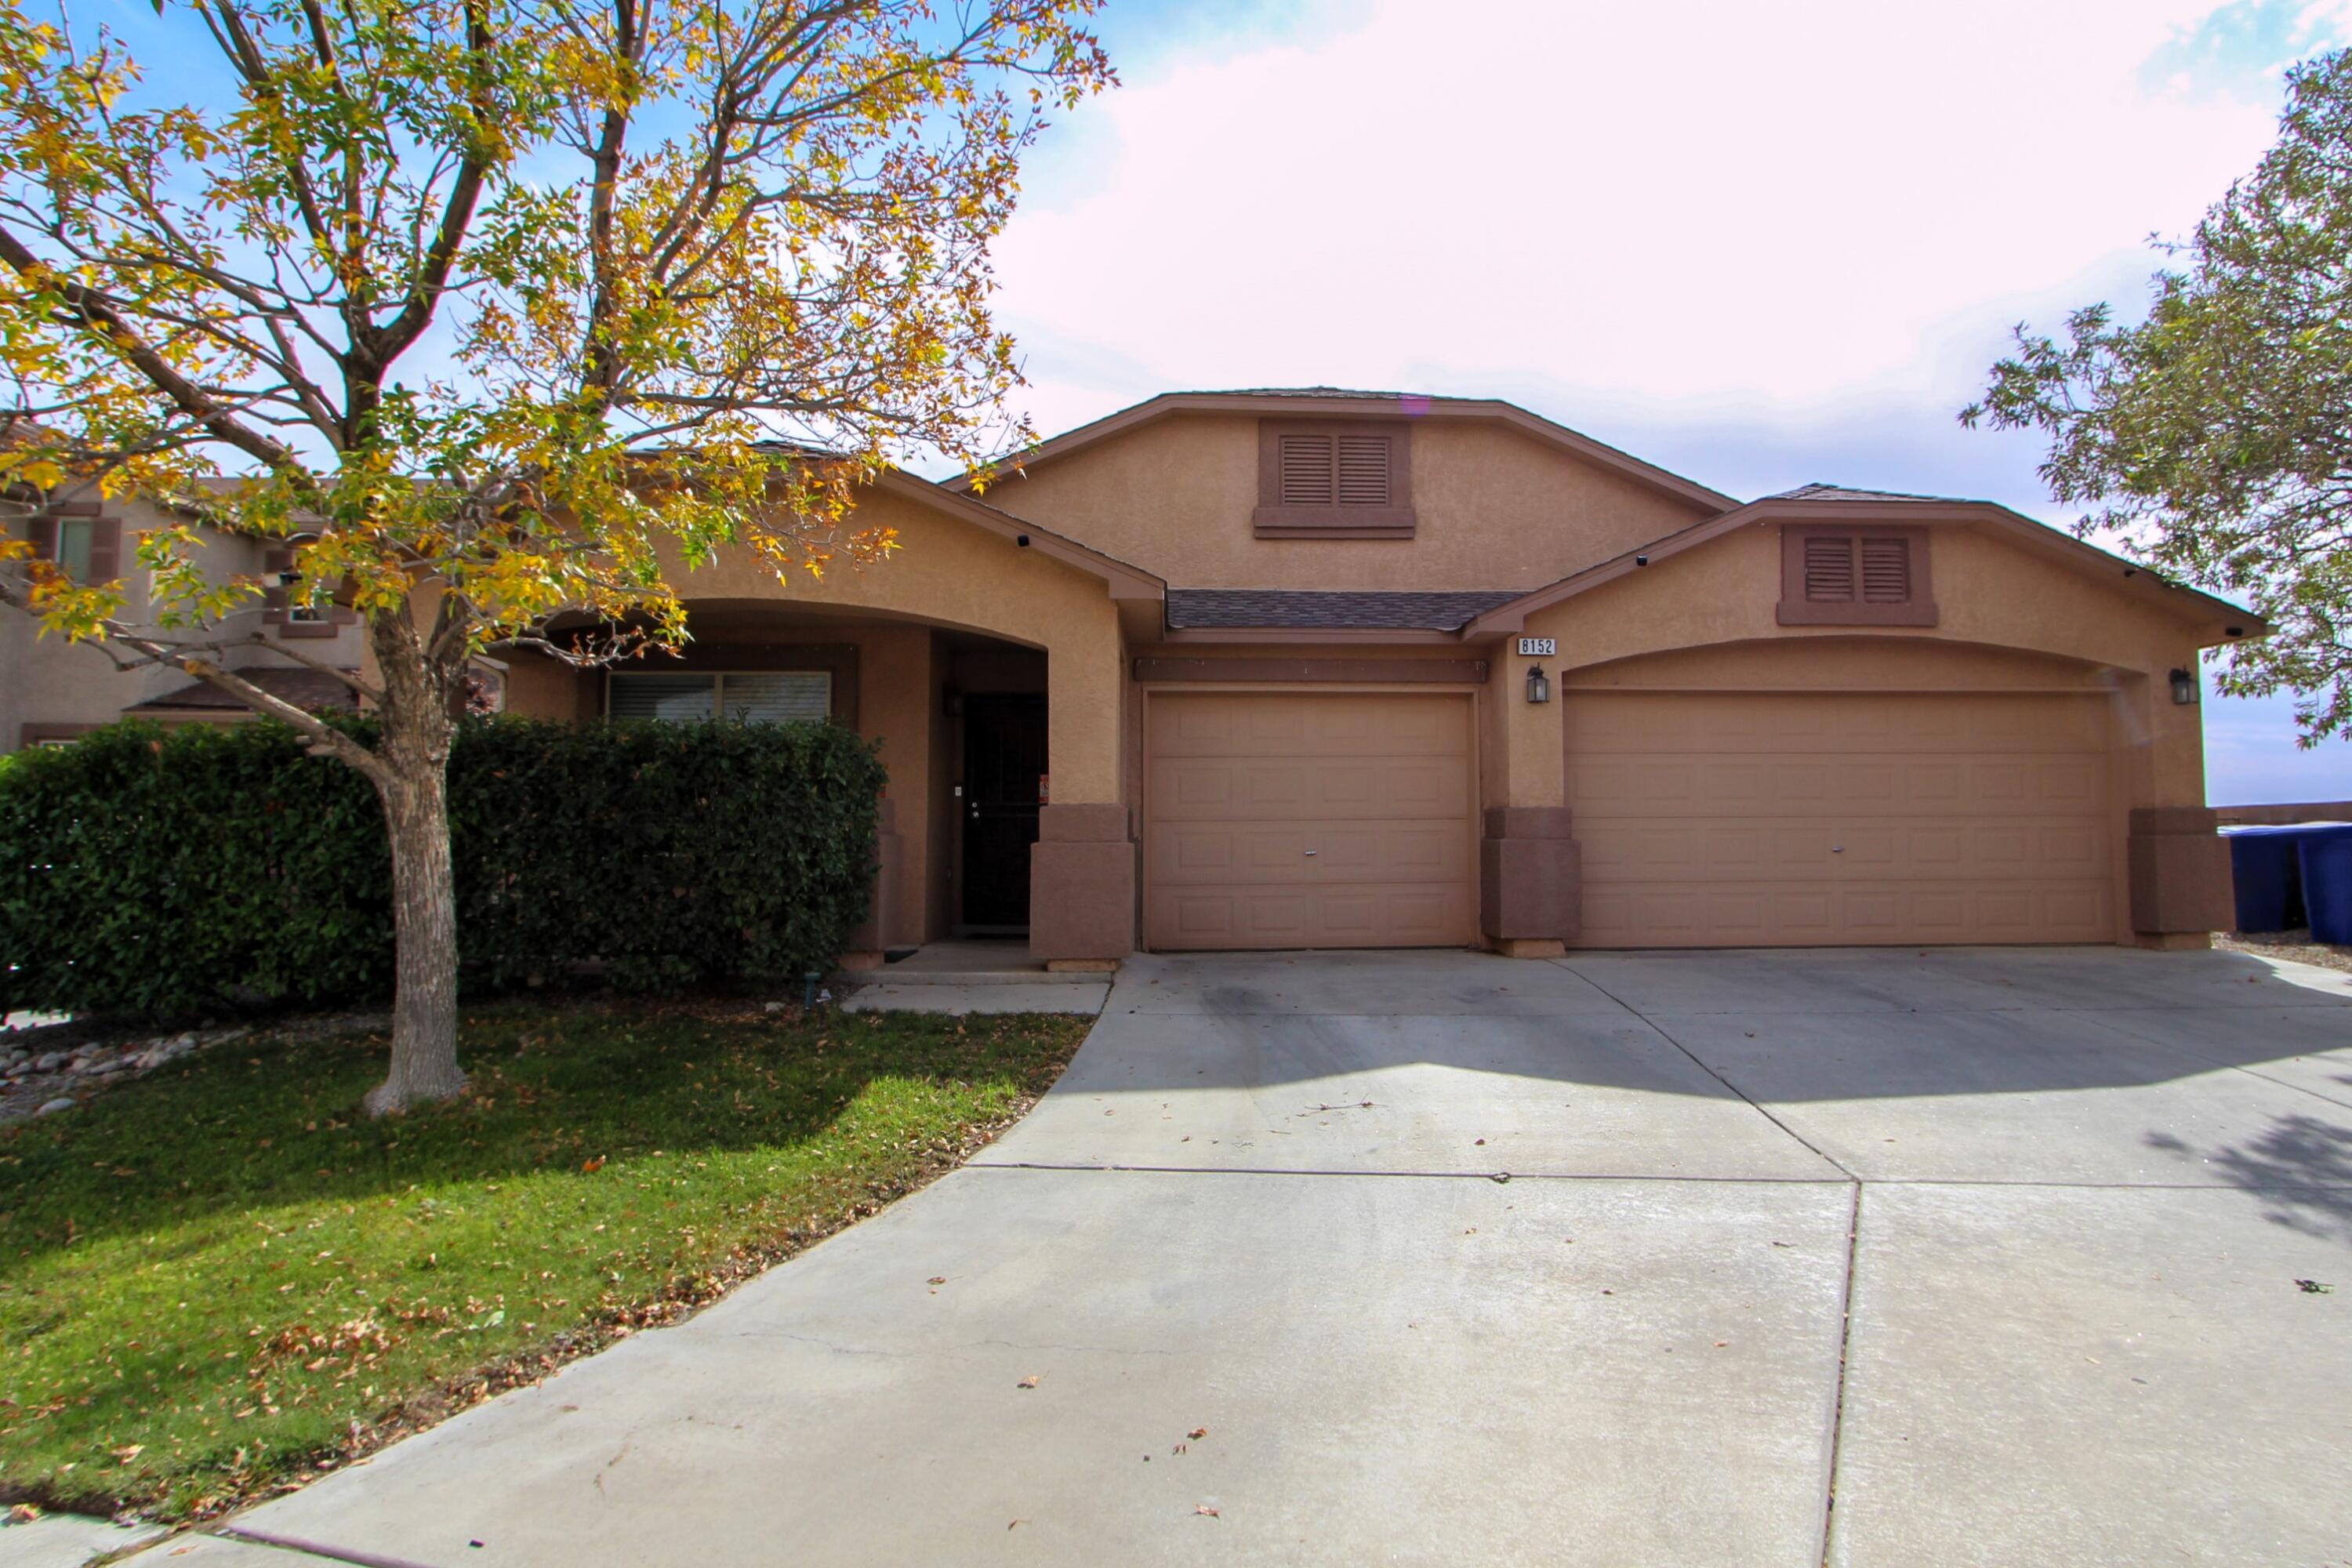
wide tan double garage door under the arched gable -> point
(1716, 819)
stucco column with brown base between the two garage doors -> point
(1530, 871)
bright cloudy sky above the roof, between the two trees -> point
(1758, 246)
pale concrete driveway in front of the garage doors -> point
(1972, 1257)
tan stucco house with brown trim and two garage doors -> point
(1323, 669)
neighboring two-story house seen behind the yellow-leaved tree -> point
(55, 690)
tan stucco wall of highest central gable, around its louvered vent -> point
(1495, 509)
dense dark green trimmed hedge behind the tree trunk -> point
(168, 873)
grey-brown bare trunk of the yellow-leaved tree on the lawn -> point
(415, 793)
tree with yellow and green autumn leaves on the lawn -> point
(505, 314)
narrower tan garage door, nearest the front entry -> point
(1309, 822)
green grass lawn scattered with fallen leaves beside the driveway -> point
(225, 1280)
